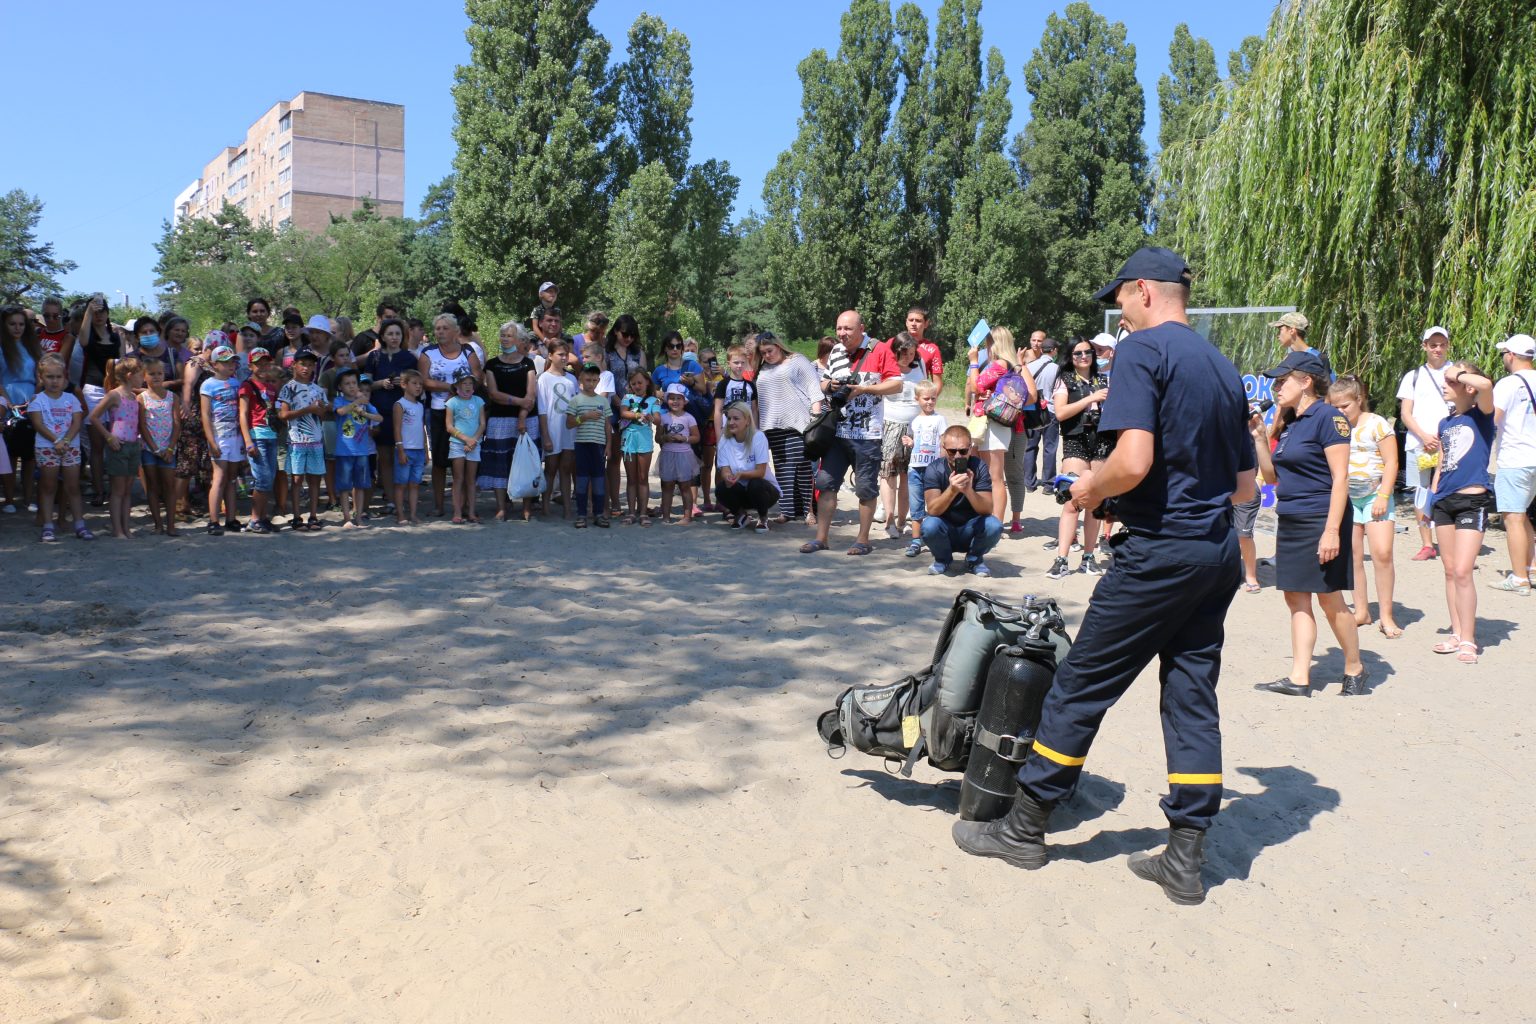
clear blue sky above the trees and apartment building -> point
(141, 96)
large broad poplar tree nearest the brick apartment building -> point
(534, 117)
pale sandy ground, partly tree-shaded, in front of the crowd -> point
(518, 773)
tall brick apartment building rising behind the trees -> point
(305, 160)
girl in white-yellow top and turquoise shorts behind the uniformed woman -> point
(1372, 474)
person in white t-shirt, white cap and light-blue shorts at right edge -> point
(1515, 484)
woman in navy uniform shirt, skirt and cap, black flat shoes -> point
(1313, 543)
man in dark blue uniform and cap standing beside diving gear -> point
(1182, 458)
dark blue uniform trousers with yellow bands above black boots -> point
(1167, 601)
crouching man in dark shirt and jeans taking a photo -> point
(958, 498)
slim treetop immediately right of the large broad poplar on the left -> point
(655, 90)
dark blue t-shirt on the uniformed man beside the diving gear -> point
(1174, 385)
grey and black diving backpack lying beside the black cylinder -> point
(933, 712)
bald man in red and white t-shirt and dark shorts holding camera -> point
(858, 377)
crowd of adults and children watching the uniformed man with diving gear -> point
(299, 418)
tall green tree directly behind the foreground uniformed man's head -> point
(1084, 164)
